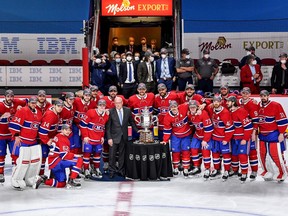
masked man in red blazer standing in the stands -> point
(251, 75)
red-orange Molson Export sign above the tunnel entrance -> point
(137, 8)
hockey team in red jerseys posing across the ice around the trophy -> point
(225, 132)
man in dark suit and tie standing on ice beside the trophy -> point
(117, 134)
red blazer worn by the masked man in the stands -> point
(246, 78)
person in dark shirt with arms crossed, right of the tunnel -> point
(184, 69)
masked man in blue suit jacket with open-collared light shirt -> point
(165, 69)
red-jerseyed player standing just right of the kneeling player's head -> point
(82, 105)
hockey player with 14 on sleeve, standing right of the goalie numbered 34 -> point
(48, 130)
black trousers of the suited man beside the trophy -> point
(121, 159)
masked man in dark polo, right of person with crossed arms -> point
(206, 70)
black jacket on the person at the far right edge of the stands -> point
(276, 79)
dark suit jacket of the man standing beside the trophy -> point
(114, 130)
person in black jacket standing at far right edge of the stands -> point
(279, 79)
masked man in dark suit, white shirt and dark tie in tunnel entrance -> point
(128, 76)
